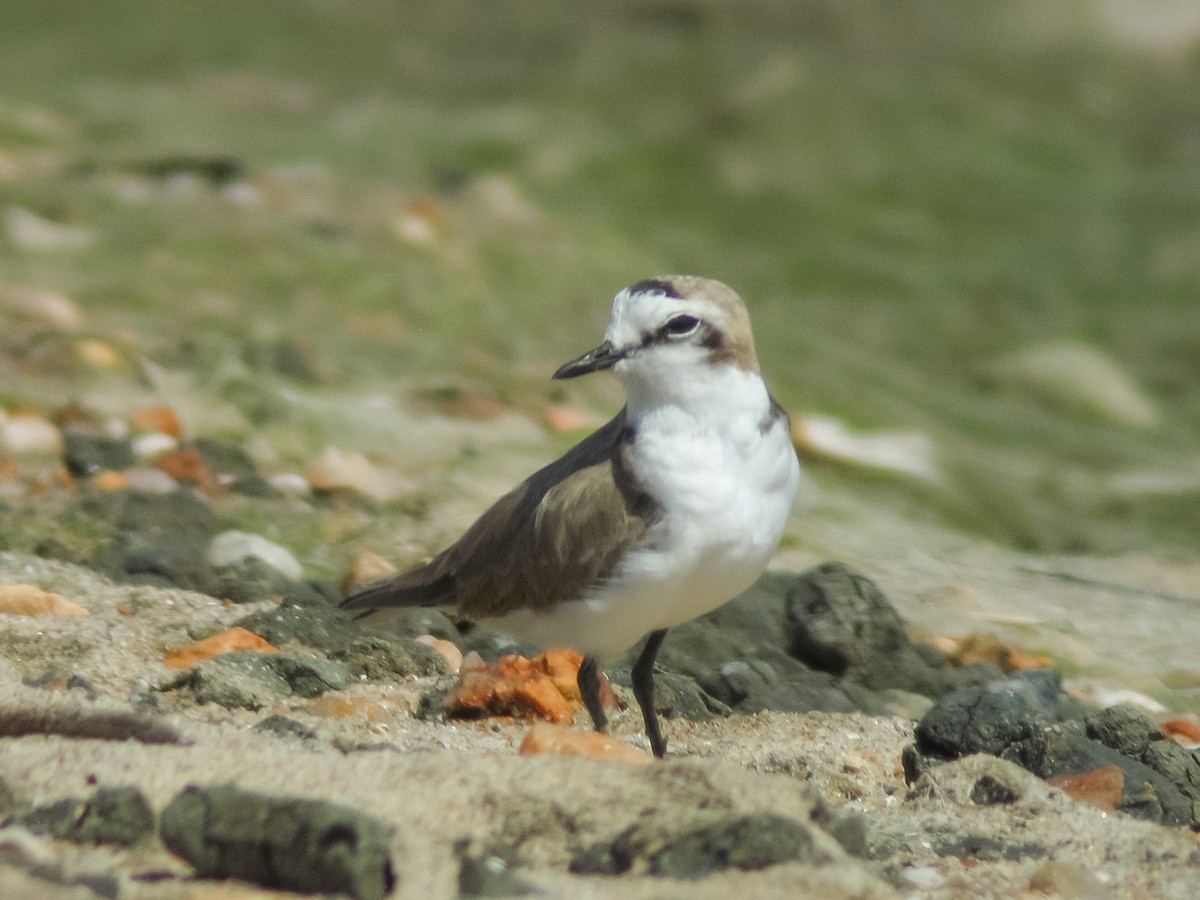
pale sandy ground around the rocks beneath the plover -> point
(452, 790)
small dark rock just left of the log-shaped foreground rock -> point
(113, 815)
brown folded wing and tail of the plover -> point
(561, 531)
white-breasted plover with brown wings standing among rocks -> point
(664, 514)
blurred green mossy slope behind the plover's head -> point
(909, 195)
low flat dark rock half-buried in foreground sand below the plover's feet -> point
(747, 843)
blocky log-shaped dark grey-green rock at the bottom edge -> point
(301, 845)
